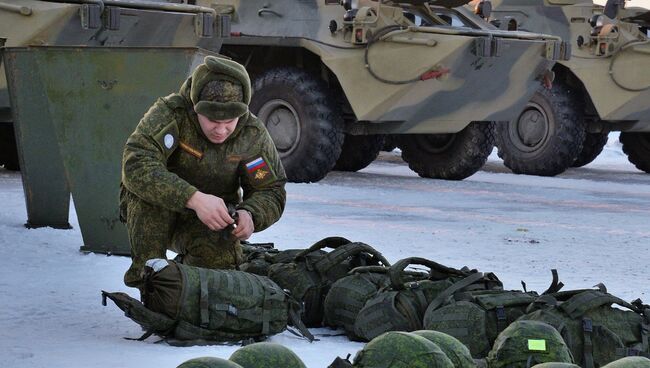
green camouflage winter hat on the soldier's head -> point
(221, 89)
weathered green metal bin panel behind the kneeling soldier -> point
(94, 98)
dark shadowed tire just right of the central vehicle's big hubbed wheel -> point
(359, 151)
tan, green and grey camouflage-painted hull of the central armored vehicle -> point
(477, 87)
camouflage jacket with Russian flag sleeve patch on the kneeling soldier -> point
(168, 158)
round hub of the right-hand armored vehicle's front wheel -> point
(531, 129)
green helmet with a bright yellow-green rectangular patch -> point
(525, 343)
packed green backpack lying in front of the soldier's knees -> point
(190, 305)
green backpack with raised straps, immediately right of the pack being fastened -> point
(311, 273)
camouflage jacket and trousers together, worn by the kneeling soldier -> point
(168, 158)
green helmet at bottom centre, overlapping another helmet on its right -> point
(398, 349)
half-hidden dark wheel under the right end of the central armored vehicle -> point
(448, 156)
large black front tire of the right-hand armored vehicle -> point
(547, 136)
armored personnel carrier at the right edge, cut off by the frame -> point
(605, 86)
